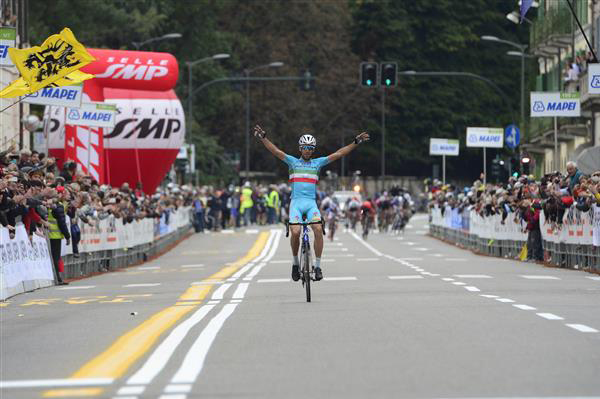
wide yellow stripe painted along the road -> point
(126, 350)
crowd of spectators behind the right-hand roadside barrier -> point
(524, 199)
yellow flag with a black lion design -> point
(57, 57)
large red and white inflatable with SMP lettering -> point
(149, 125)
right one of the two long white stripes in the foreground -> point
(194, 360)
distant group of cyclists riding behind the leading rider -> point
(389, 212)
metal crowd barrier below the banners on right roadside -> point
(570, 256)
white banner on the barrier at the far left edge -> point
(25, 264)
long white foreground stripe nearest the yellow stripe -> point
(161, 355)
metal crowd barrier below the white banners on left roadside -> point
(90, 263)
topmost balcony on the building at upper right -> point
(553, 30)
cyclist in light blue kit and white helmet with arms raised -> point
(304, 176)
